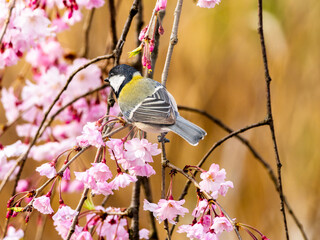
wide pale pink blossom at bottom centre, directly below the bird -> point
(166, 209)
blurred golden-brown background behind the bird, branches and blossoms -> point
(217, 67)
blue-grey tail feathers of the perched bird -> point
(187, 130)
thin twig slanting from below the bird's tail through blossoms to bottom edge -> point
(206, 195)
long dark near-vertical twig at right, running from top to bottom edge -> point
(269, 114)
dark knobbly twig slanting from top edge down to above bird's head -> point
(121, 41)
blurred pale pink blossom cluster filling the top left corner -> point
(30, 24)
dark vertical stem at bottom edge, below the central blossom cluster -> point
(134, 208)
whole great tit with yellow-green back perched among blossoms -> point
(148, 105)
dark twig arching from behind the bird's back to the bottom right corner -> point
(265, 164)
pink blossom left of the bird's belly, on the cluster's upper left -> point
(90, 136)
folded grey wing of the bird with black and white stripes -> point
(158, 108)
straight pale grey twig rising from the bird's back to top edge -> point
(173, 41)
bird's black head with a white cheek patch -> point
(119, 76)
